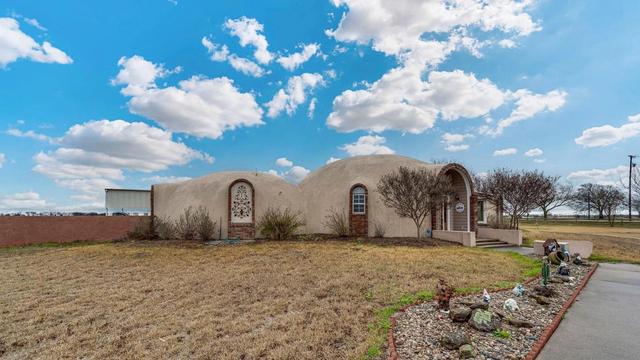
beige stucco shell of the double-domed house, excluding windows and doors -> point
(324, 190)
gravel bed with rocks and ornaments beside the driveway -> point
(419, 329)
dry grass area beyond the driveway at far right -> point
(618, 243)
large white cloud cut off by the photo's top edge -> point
(396, 26)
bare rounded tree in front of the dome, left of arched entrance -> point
(413, 193)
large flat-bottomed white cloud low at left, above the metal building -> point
(93, 155)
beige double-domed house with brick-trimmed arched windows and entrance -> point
(237, 199)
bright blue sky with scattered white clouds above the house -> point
(126, 94)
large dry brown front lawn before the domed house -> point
(287, 300)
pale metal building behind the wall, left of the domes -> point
(127, 201)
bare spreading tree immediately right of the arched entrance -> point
(519, 192)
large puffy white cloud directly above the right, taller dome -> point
(402, 101)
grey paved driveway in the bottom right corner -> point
(604, 322)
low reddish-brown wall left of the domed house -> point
(24, 230)
